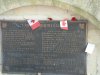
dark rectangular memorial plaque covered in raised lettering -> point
(47, 49)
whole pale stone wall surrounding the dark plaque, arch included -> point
(58, 9)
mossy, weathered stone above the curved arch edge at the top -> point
(89, 9)
